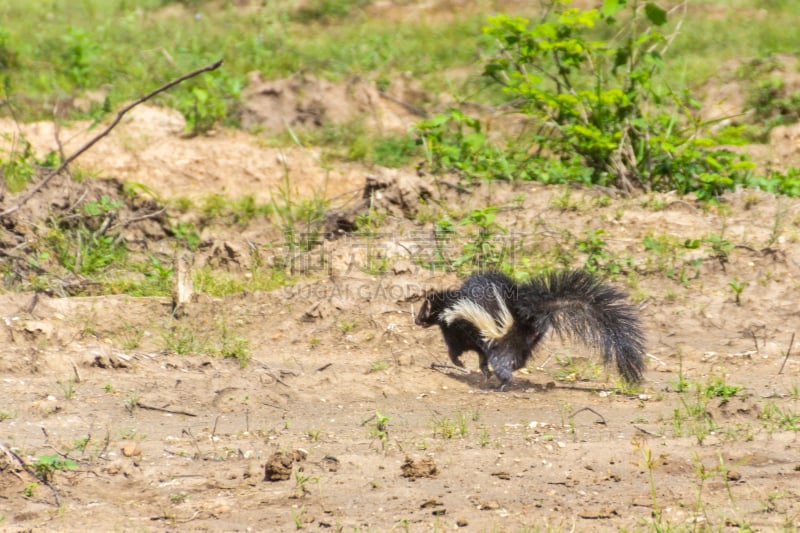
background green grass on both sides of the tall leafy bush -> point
(49, 50)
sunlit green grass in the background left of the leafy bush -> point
(57, 48)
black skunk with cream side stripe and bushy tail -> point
(504, 321)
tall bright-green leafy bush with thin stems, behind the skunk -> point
(598, 99)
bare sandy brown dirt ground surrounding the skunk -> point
(370, 436)
